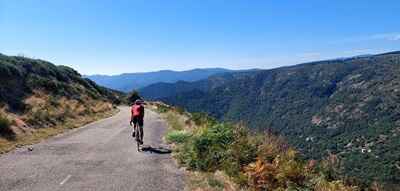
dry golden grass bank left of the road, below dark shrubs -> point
(48, 116)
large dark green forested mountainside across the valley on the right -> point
(348, 107)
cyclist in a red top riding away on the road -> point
(137, 115)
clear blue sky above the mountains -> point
(111, 37)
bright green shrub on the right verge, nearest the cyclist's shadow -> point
(218, 147)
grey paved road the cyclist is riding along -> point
(99, 156)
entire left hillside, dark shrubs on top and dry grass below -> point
(38, 99)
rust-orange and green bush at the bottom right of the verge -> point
(279, 168)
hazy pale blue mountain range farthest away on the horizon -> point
(130, 81)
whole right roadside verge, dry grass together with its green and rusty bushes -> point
(220, 156)
